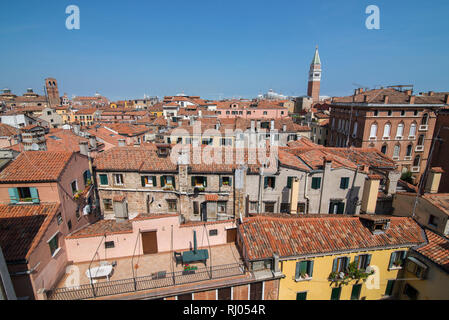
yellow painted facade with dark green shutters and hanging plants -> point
(320, 288)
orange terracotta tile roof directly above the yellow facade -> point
(263, 235)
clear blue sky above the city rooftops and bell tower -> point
(213, 48)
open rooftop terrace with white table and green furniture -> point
(149, 274)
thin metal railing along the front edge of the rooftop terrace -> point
(154, 281)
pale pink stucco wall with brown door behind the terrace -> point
(128, 244)
